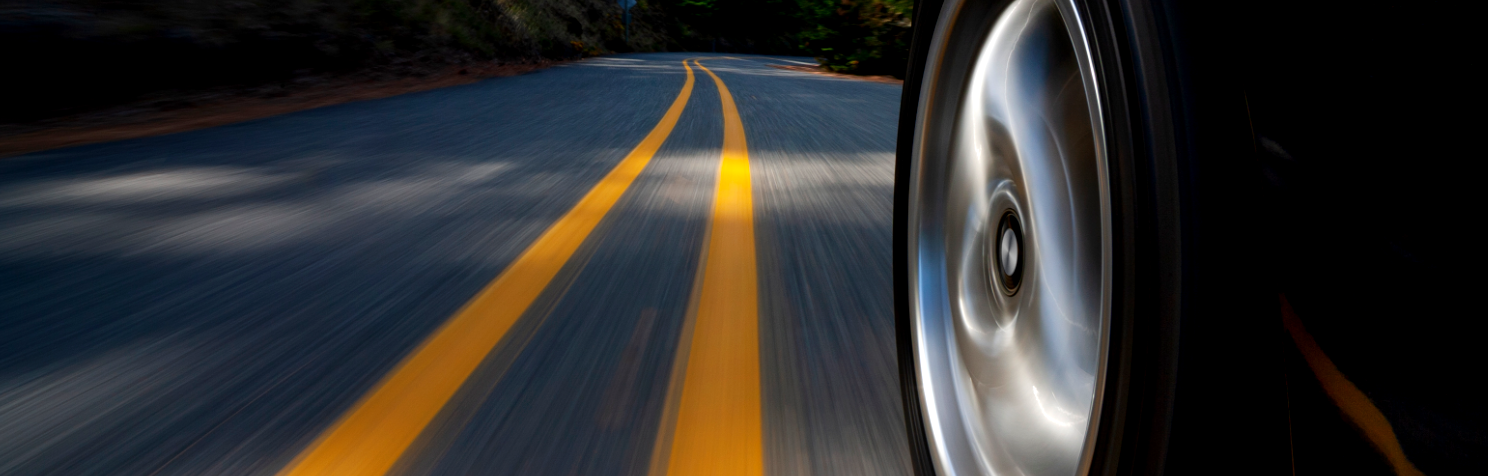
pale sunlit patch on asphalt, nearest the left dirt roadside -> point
(130, 215)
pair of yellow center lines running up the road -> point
(718, 422)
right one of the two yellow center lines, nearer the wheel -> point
(719, 417)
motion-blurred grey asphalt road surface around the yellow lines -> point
(214, 303)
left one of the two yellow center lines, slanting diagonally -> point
(371, 438)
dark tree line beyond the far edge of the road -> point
(71, 56)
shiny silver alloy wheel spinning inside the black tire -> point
(1011, 242)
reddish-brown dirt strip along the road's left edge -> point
(196, 111)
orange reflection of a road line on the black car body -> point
(1355, 404)
